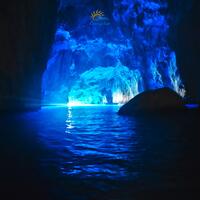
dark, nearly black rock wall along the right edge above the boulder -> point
(185, 39)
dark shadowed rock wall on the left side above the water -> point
(27, 29)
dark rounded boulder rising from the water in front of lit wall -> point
(163, 99)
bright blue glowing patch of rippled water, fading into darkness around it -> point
(95, 142)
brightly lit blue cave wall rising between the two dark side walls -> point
(112, 58)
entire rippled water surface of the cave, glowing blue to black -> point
(93, 153)
